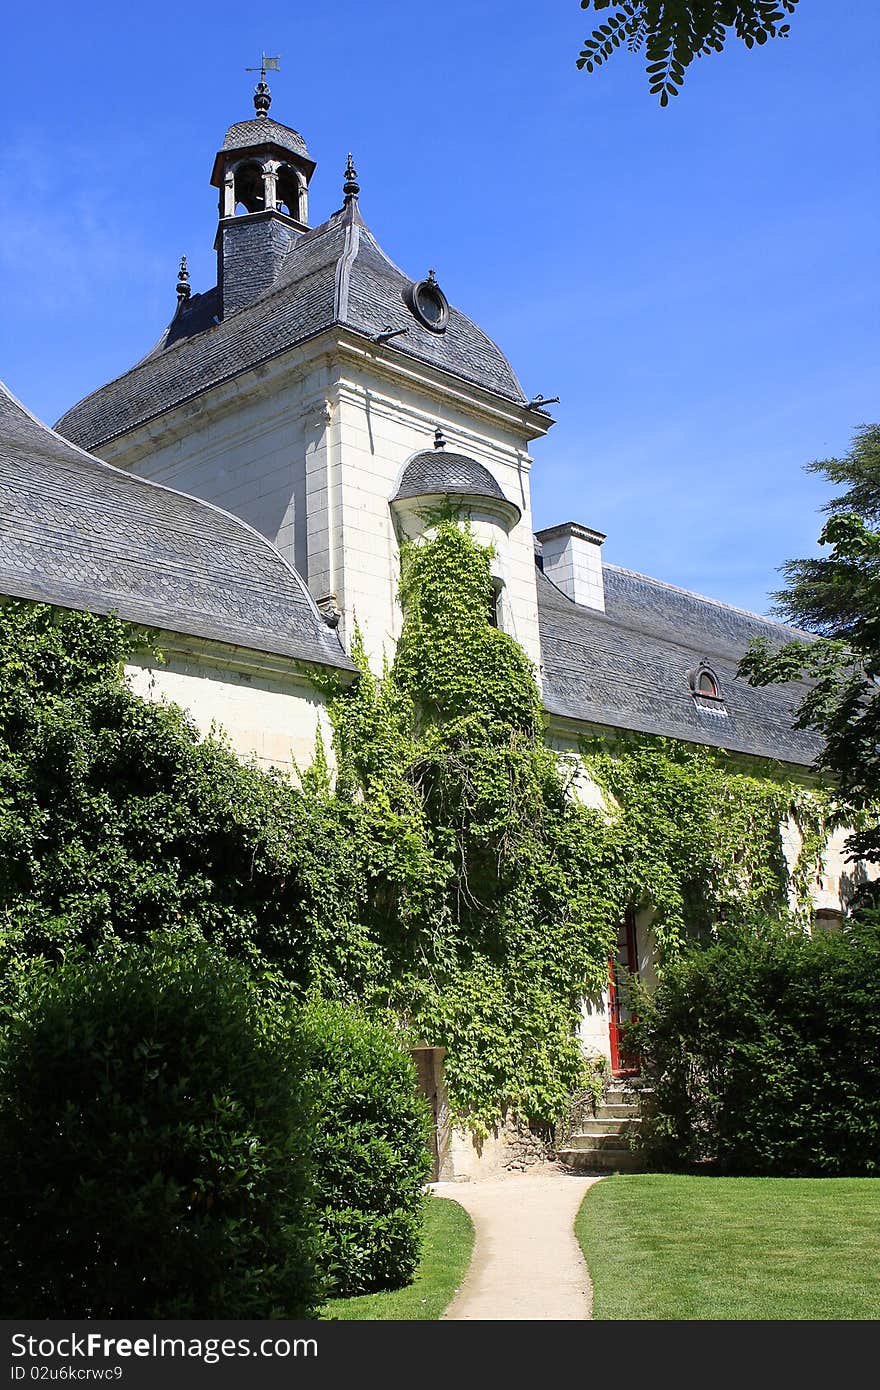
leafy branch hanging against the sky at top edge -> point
(675, 33)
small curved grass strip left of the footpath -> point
(446, 1256)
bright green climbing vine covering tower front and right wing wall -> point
(494, 892)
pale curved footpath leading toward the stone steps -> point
(528, 1264)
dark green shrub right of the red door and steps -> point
(765, 1056)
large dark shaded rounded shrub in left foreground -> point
(152, 1143)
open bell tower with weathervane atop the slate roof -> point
(263, 174)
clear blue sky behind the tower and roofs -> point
(699, 284)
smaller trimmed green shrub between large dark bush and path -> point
(370, 1150)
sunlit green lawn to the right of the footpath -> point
(671, 1248)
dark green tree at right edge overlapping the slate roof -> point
(838, 597)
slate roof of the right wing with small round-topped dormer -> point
(628, 668)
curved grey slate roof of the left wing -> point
(81, 534)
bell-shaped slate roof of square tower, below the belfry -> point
(334, 275)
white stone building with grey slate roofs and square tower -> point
(245, 487)
